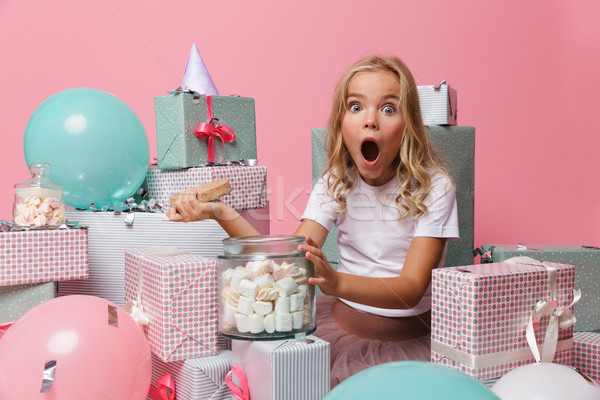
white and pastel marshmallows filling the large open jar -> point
(265, 296)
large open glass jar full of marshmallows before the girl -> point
(263, 288)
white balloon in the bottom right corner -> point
(545, 381)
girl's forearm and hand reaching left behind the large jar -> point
(189, 209)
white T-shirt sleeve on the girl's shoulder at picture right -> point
(441, 218)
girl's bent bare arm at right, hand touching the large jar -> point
(401, 292)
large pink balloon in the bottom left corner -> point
(94, 360)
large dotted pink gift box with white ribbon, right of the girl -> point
(480, 313)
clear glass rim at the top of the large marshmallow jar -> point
(268, 245)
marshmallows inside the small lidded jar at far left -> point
(38, 211)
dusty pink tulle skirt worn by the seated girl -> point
(361, 340)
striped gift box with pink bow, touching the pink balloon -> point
(197, 378)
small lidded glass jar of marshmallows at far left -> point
(38, 201)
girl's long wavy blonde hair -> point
(414, 164)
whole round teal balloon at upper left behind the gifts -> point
(95, 143)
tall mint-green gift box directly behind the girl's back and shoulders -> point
(456, 145)
